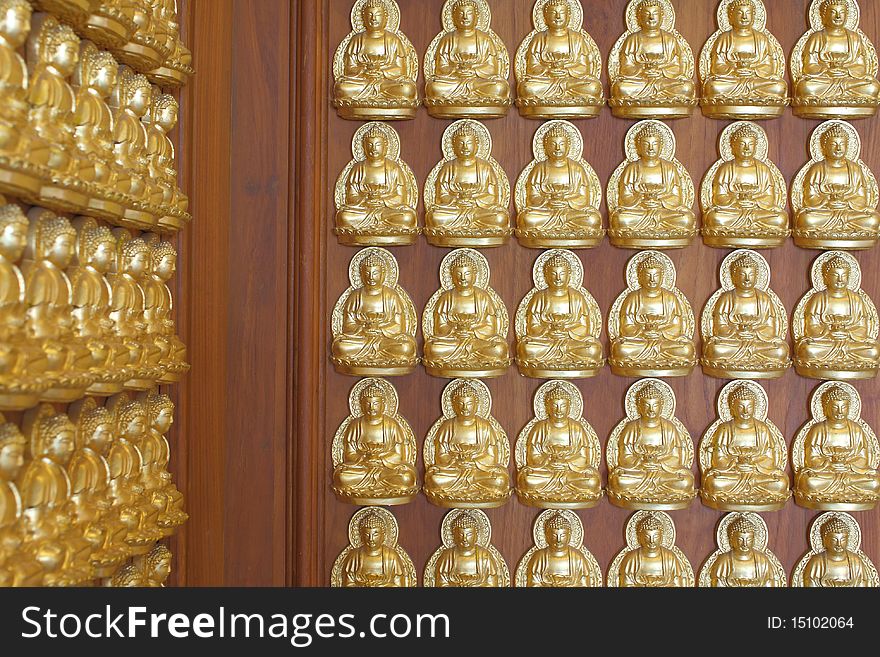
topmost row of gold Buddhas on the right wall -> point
(651, 67)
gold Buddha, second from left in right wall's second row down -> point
(467, 194)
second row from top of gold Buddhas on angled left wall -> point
(80, 133)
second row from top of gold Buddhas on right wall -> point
(650, 195)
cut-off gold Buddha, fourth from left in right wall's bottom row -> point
(650, 558)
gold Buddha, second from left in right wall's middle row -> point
(465, 322)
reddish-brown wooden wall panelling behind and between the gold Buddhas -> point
(262, 271)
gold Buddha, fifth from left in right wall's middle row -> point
(744, 324)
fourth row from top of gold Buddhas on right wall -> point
(649, 453)
